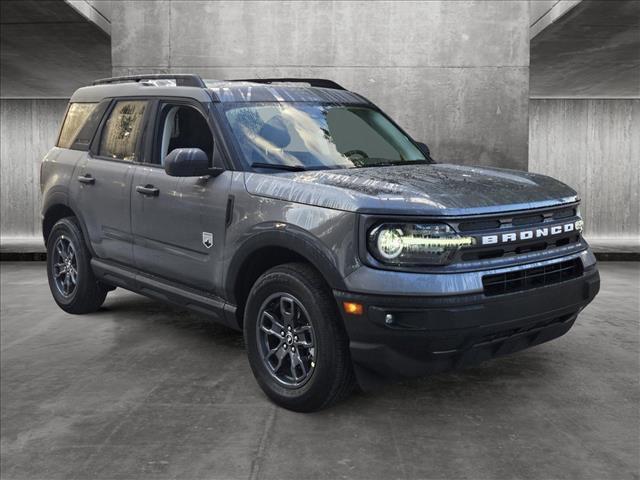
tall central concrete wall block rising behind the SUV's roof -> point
(454, 74)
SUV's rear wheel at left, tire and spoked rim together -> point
(68, 260)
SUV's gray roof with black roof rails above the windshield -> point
(226, 91)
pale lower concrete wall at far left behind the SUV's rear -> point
(28, 129)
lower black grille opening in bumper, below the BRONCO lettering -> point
(529, 278)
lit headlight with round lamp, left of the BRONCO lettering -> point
(415, 243)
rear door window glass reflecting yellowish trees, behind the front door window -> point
(122, 130)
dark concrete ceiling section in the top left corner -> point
(47, 49)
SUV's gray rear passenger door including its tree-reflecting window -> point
(104, 178)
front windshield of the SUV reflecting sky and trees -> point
(307, 136)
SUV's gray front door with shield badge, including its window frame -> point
(179, 223)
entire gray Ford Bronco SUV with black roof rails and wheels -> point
(298, 212)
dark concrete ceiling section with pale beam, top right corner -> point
(590, 49)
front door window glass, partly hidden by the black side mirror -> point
(182, 126)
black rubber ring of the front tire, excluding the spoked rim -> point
(322, 378)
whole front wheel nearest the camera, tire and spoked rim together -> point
(295, 295)
